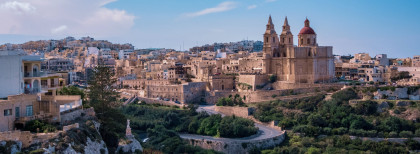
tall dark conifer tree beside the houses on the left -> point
(103, 97)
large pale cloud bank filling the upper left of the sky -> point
(64, 17)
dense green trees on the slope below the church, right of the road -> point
(315, 116)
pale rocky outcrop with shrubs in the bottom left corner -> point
(85, 138)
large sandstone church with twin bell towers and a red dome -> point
(305, 63)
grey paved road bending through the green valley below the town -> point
(264, 132)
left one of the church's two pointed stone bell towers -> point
(271, 39)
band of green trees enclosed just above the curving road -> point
(188, 120)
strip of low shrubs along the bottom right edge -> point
(339, 144)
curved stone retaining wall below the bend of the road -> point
(235, 147)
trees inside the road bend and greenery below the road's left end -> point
(162, 125)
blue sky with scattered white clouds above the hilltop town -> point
(350, 26)
